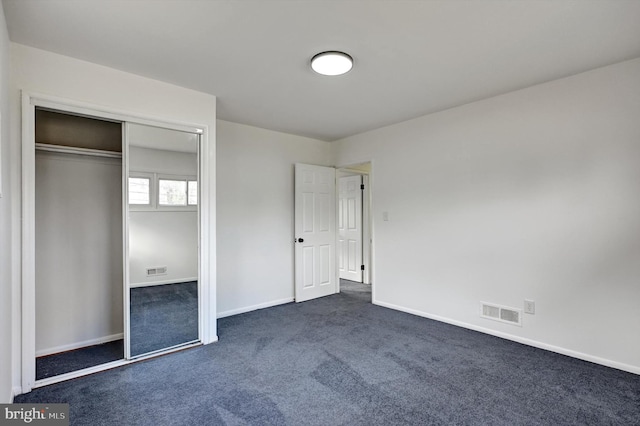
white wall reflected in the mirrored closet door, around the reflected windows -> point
(161, 237)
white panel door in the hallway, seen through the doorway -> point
(350, 228)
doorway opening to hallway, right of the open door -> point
(354, 227)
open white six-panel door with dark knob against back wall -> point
(315, 232)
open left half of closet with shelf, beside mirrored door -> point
(78, 243)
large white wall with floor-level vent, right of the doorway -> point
(529, 195)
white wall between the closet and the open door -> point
(255, 214)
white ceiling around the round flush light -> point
(411, 57)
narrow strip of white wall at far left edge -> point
(5, 219)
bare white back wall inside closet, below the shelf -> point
(78, 251)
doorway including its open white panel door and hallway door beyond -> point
(317, 217)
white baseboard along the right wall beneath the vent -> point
(529, 342)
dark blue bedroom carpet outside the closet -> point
(340, 360)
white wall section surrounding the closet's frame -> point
(48, 73)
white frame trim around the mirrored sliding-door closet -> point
(206, 283)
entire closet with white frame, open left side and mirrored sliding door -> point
(98, 249)
